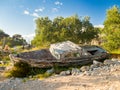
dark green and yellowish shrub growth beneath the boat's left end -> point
(22, 69)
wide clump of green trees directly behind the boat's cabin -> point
(61, 29)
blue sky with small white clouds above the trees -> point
(17, 16)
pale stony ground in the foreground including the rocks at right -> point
(98, 76)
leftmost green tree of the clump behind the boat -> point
(43, 31)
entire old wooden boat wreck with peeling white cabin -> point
(63, 54)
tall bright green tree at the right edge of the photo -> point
(112, 29)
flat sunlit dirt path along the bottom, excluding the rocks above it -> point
(111, 82)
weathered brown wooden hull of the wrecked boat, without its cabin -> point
(43, 59)
